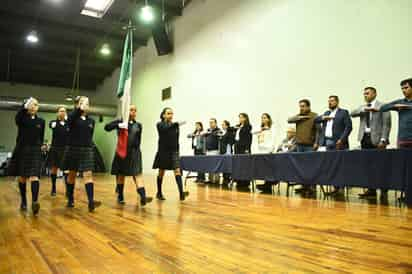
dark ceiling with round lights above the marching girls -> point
(62, 30)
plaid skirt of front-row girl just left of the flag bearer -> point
(78, 158)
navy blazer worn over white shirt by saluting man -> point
(342, 127)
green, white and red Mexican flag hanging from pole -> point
(123, 92)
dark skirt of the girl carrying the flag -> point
(129, 166)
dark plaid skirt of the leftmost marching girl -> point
(26, 161)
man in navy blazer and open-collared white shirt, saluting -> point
(336, 125)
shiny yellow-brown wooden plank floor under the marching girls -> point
(214, 231)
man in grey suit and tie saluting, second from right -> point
(374, 128)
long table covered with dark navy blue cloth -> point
(388, 169)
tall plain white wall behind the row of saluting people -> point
(264, 55)
